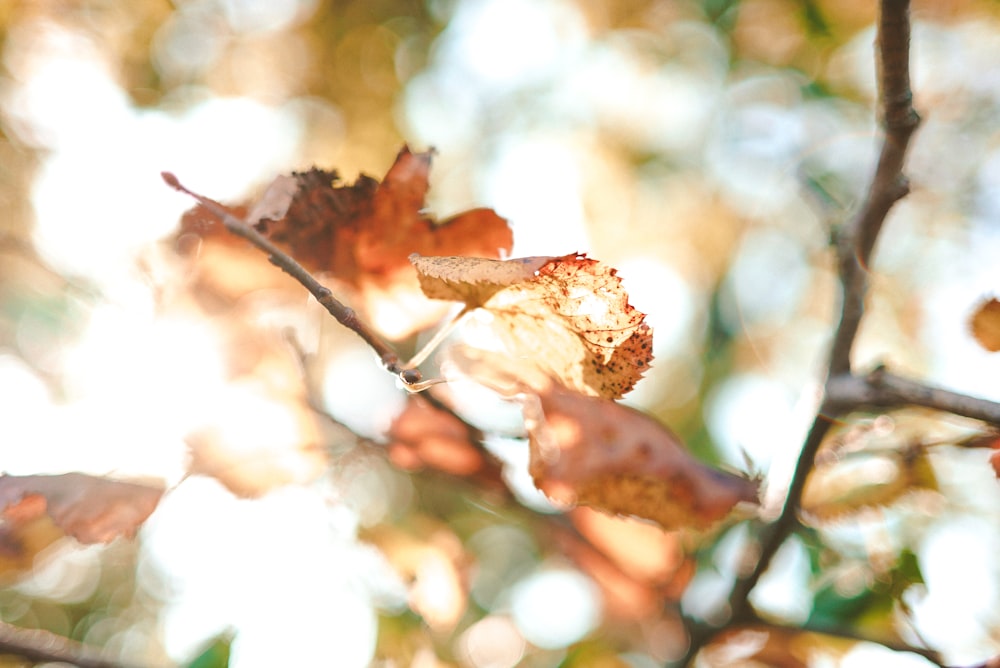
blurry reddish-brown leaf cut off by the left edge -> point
(91, 509)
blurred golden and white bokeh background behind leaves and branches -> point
(705, 148)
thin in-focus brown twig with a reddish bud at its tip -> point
(345, 315)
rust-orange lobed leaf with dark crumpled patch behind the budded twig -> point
(362, 234)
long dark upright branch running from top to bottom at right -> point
(854, 249)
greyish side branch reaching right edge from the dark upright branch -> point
(880, 389)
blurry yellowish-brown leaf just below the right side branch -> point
(863, 480)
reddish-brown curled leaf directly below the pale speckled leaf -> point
(592, 451)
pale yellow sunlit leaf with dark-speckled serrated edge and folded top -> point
(570, 314)
